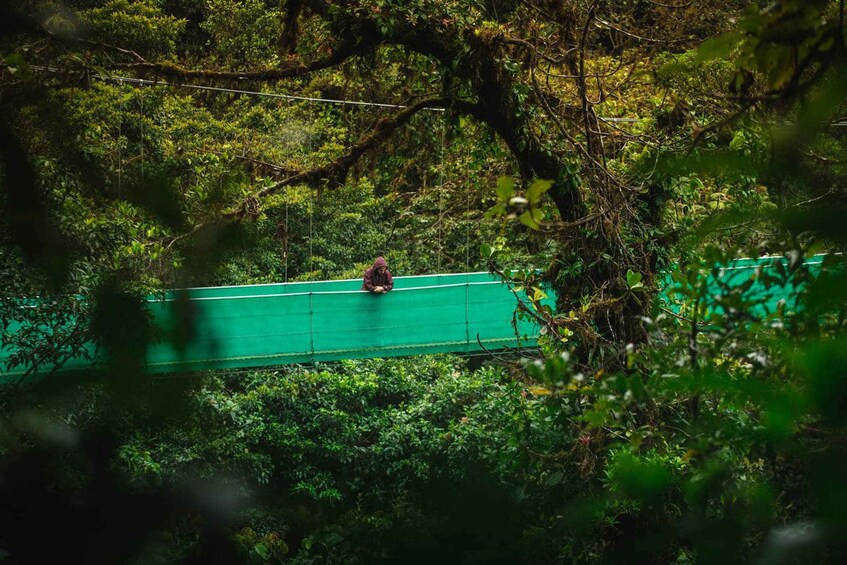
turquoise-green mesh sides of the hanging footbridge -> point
(275, 324)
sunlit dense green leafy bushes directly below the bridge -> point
(298, 431)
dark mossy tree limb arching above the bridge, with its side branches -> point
(491, 87)
